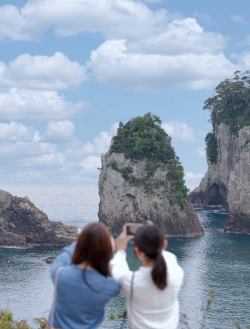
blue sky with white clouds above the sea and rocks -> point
(71, 70)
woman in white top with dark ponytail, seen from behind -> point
(155, 285)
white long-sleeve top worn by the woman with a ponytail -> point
(152, 308)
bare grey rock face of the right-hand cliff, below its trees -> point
(227, 182)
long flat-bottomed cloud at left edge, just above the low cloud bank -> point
(45, 105)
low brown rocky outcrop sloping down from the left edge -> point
(21, 223)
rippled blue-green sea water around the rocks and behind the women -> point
(217, 261)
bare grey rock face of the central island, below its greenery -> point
(122, 202)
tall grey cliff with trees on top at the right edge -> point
(227, 181)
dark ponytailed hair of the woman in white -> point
(150, 240)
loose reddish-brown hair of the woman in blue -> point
(94, 248)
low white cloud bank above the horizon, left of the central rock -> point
(26, 155)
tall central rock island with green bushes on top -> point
(141, 178)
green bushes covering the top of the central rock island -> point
(143, 138)
